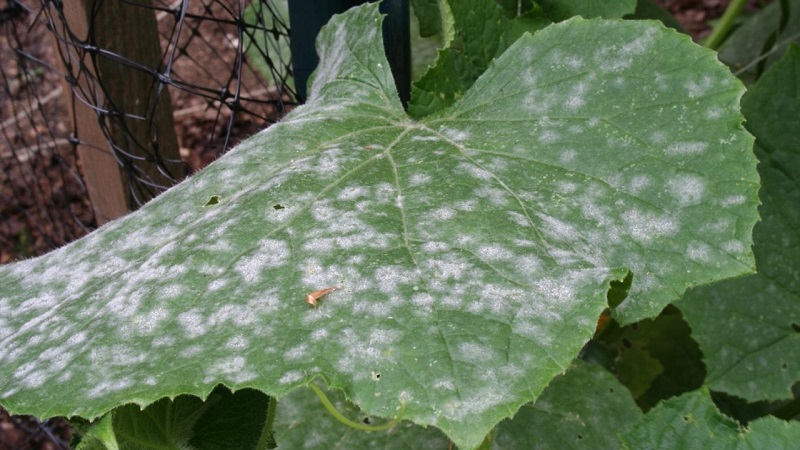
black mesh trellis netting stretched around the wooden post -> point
(220, 73)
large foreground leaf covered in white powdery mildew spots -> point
(472, 251)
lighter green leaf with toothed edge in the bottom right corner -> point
(692, 421)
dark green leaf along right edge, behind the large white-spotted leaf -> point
(749, 328)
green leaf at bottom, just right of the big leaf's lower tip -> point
(586, 408)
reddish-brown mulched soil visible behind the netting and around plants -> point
(42, 201)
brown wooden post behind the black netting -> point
(146, 129)
